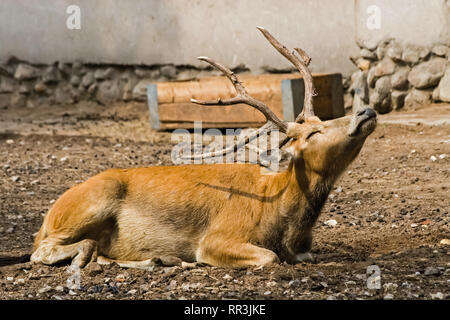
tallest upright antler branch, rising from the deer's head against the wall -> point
(302, 66)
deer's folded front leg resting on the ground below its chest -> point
(221, 252)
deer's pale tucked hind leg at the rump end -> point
(50, 252)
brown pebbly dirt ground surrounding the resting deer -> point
(391, 208)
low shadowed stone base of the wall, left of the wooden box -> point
(26, 85)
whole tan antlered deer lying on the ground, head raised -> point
(225, 214)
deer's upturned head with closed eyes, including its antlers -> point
(322, 147)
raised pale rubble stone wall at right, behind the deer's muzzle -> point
(396, 74)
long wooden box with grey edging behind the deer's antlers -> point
(170, 106)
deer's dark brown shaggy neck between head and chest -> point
(289, 229)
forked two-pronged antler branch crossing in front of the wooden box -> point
(241, 97)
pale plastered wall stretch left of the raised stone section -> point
(176, 31)
